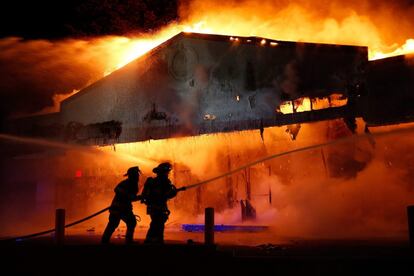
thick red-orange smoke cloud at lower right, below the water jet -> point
(309, 202)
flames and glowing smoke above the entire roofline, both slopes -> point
(76, 63)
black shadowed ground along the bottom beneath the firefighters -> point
(83, 255)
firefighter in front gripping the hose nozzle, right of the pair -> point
(157, 191)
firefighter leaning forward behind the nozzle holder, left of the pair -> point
(121, 207)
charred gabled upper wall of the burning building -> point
(196, 84)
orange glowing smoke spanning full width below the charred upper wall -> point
(311, 198)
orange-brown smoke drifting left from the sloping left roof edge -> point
(36, 74)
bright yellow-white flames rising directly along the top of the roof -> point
(292, 22)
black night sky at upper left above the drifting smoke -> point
(74, 18)
